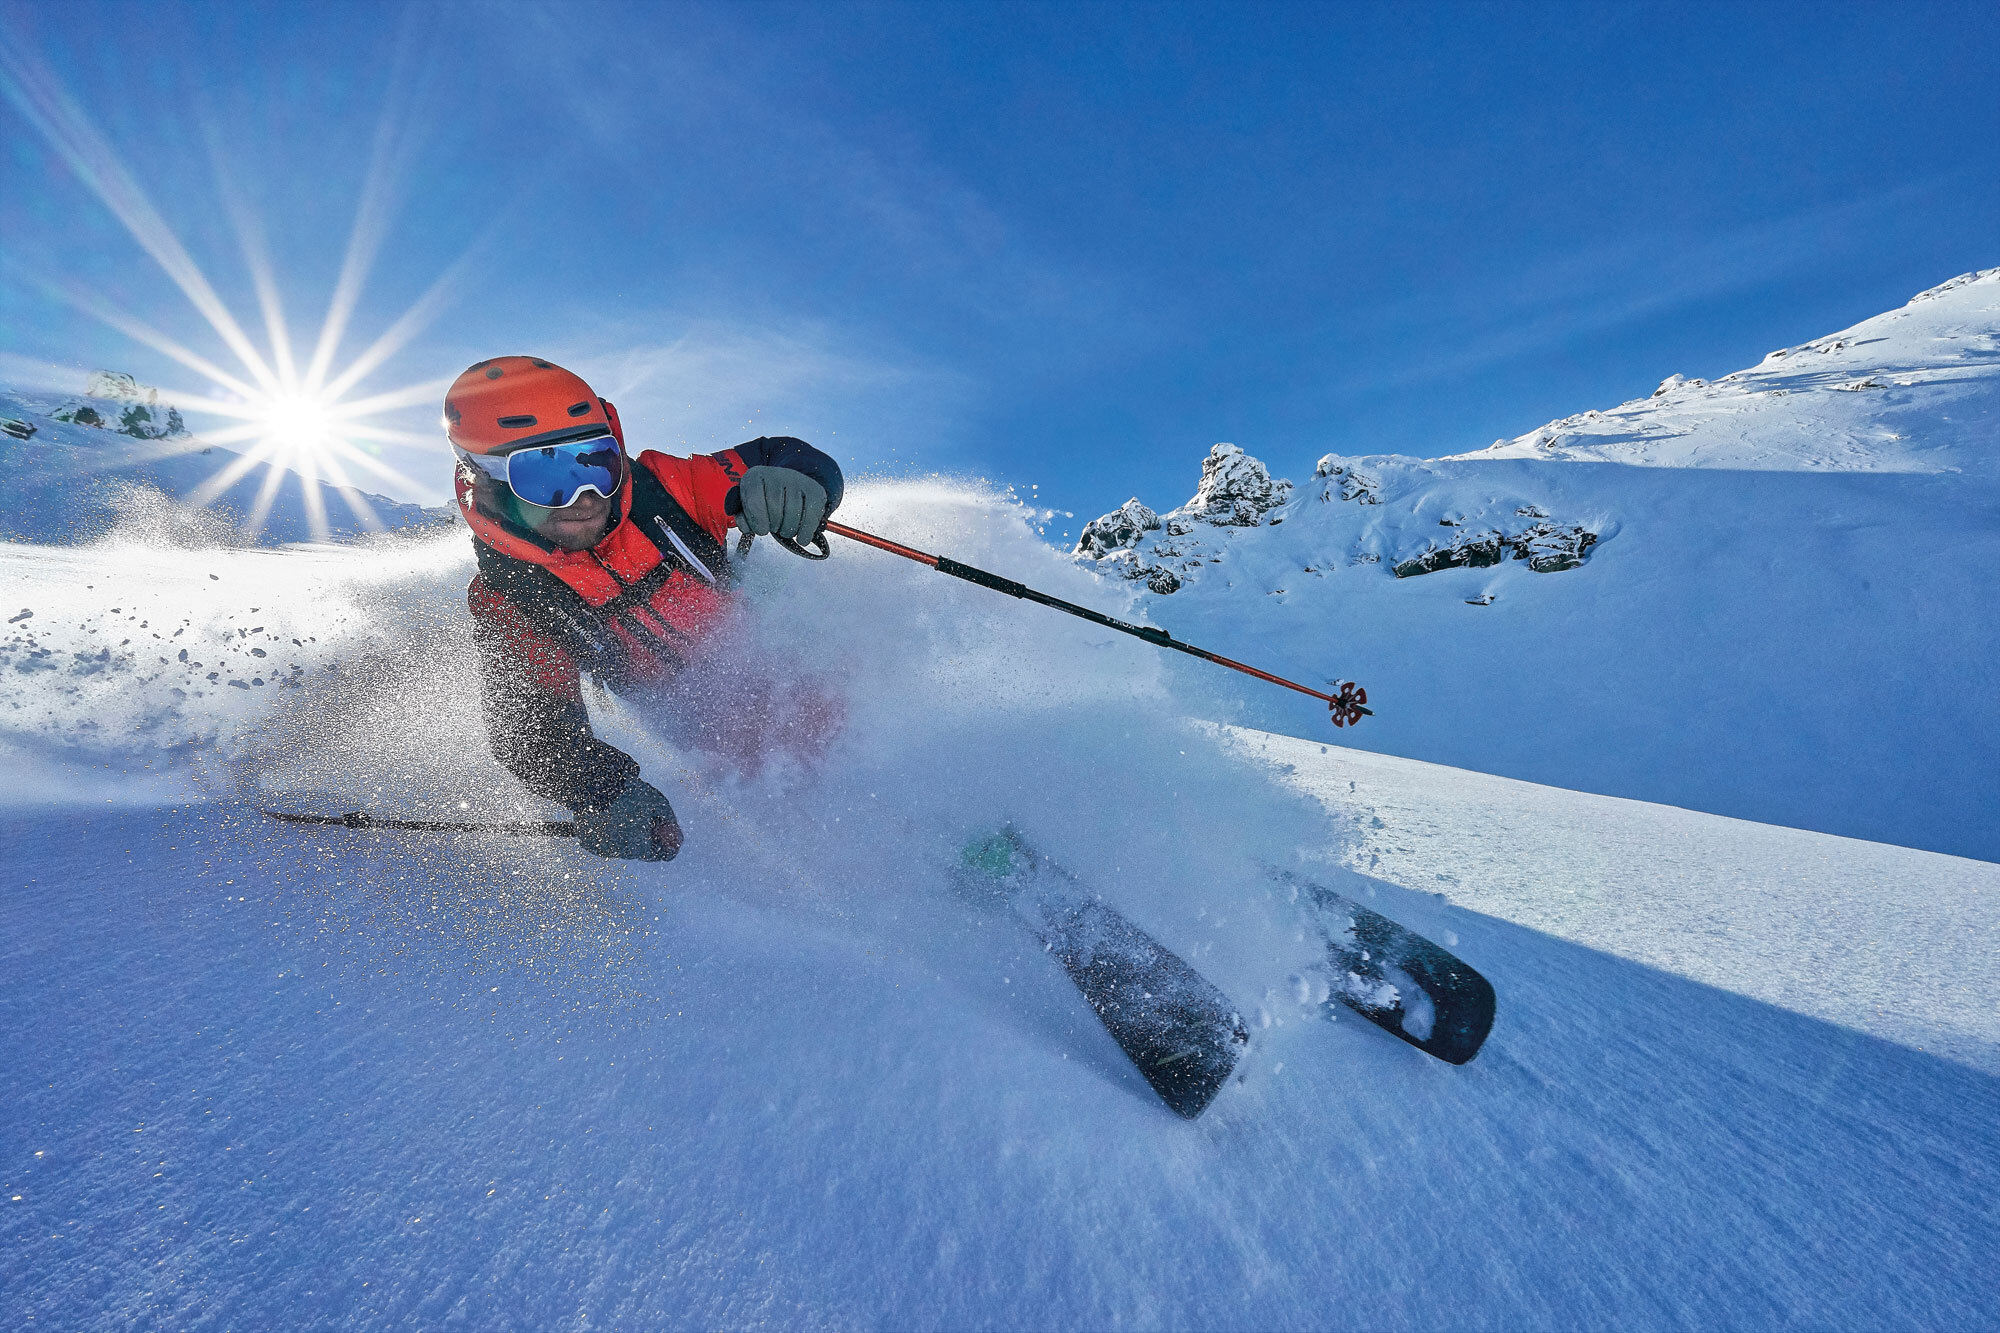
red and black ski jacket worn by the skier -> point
(631, 611)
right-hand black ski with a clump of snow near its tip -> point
(1399, 980)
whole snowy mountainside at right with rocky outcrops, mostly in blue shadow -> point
(1765, 597)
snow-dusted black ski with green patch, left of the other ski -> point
(1179, 1030)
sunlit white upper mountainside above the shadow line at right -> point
(1907, 391)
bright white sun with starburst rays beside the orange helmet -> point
(289, 417)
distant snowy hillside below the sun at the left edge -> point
(71, 483)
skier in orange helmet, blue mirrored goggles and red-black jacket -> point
(591, 561)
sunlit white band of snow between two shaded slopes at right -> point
(1865, 936)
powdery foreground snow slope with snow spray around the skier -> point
(267, 1076)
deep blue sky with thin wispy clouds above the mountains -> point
(1051, 245)
